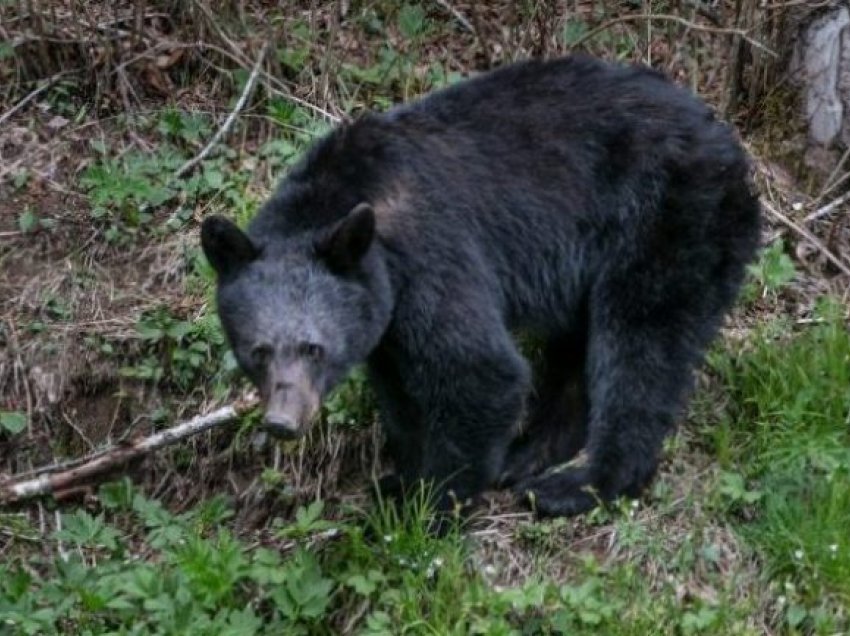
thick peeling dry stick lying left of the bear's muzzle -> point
(105, 461)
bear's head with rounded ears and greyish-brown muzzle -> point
(299, 311)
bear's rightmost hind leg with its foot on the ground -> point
(644, 342)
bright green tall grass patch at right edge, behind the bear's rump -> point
(787, 432)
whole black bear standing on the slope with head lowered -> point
(595, 205)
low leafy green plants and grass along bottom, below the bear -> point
(148, 571)
